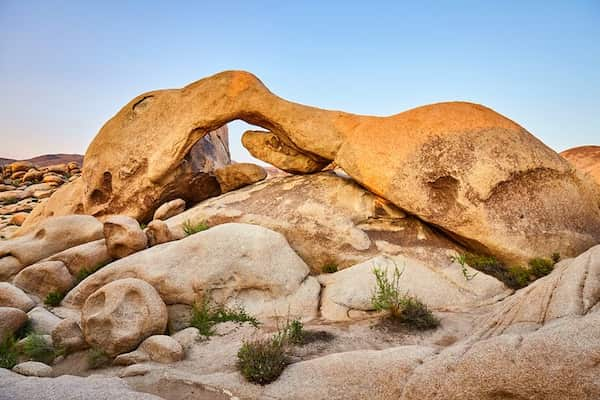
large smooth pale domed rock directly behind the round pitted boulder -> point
(236, 264)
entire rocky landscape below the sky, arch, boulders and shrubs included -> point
(166, 271)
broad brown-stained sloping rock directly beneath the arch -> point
(327, 219)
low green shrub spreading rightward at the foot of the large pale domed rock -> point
(206, 315)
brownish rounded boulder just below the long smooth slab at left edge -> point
(45, 277)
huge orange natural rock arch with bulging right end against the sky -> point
(460, 166)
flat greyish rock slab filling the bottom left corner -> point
(67, 387)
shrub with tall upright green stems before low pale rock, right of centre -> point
(402, 308)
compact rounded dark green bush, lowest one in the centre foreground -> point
(262, 361)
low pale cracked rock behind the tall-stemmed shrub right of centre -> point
(442, 288)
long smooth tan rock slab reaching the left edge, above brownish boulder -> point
(50, 237)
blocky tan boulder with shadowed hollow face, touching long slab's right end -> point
(123, 236)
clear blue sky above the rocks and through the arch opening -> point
(66, 67)
